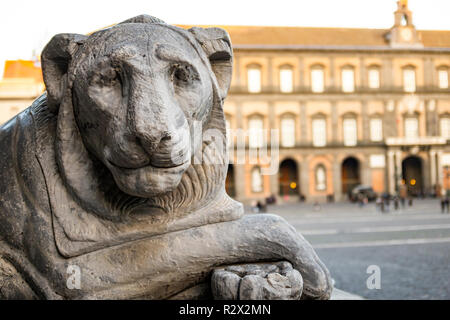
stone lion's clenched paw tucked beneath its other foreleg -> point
(260, 281)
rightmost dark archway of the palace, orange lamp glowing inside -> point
(412, 175)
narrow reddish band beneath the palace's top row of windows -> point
(338, 90)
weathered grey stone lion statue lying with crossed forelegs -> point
(101, 196)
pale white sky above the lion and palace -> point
(27, 25)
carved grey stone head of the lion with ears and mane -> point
(130, 100)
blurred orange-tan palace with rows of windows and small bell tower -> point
(352, 106)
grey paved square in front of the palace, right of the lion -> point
(411, 246)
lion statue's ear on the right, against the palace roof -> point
(217, 45)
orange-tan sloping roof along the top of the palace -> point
(304, 36)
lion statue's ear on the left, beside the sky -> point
(55, 60)
